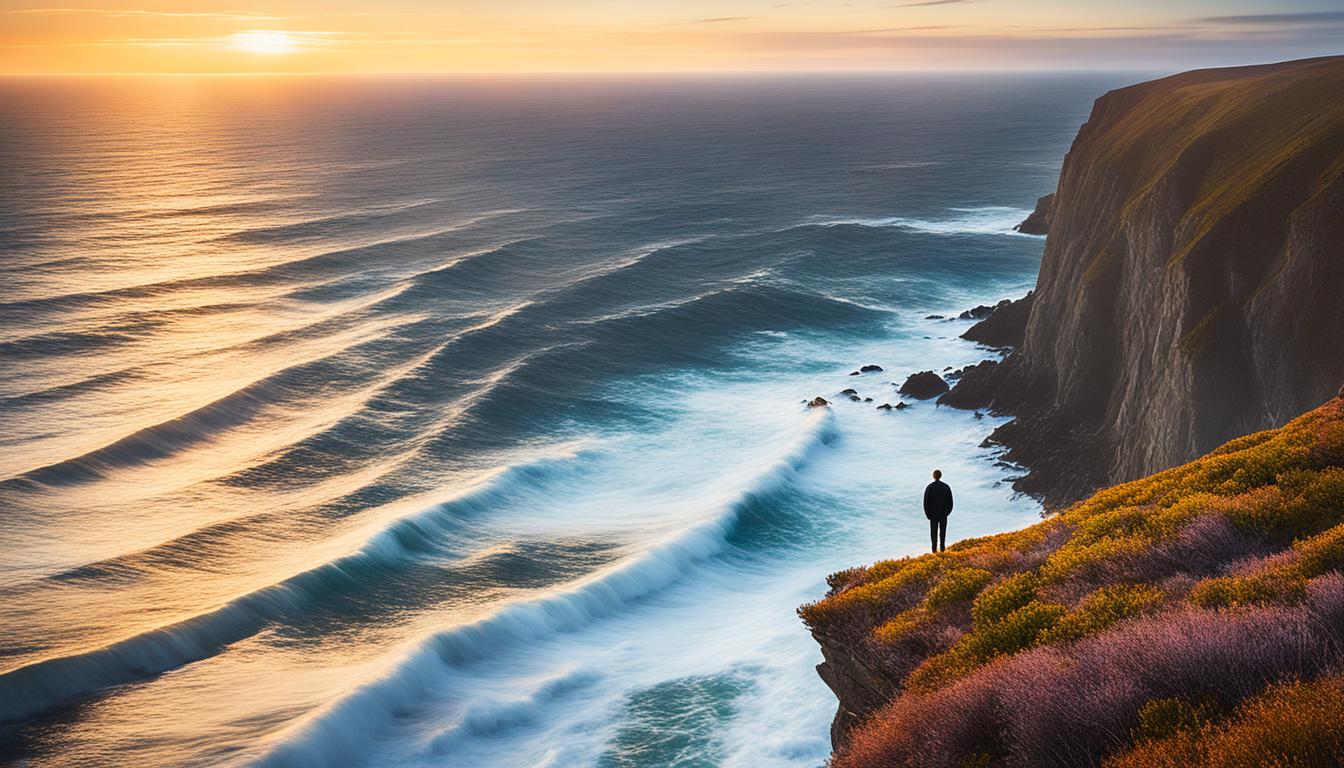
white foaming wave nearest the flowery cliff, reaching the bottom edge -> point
(341, 731)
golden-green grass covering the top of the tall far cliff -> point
(1230, 139)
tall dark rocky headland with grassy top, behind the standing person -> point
(1193, 283)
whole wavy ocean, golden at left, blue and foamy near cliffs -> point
(460, 422)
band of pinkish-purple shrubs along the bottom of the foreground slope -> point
(1079, 704)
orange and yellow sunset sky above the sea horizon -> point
(173, 37)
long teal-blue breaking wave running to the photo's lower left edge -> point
(36, 688)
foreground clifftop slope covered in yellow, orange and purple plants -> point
(1195, 617)
